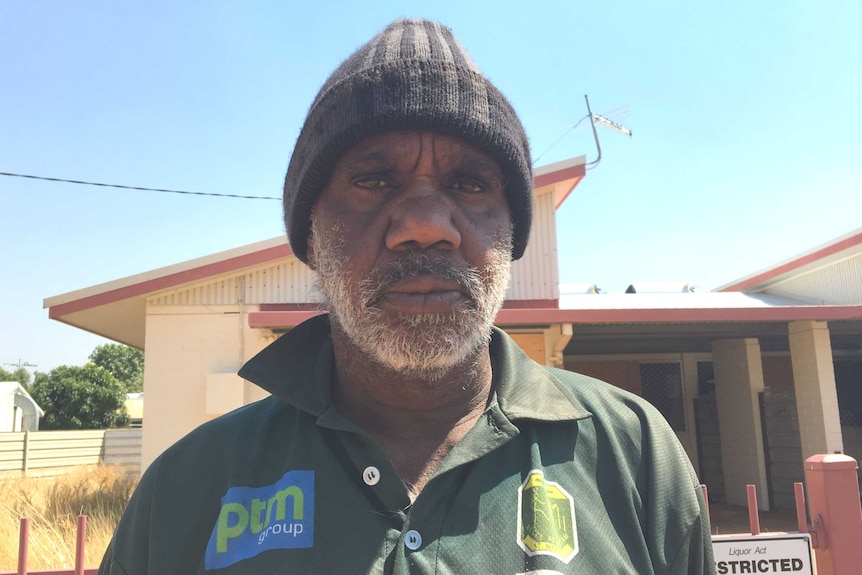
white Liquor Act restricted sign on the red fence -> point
(768, 553)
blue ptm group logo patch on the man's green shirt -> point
(256, 519)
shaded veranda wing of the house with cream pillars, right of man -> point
(754, 377)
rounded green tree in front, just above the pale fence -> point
(87, 397)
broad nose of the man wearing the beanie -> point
(422, 217)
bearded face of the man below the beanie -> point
(411, 239)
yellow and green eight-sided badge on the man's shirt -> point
(546, 519)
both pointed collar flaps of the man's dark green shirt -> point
(298, 369)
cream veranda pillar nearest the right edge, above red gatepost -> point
(814, 382)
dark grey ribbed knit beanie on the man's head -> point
(414, 75)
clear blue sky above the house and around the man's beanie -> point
(746, 119)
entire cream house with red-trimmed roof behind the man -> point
(725, 368)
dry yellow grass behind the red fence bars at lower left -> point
(53, 504)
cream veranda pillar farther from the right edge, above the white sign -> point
(738, 380)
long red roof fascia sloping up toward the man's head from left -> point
(170, 280)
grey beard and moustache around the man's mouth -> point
(427, 345)
